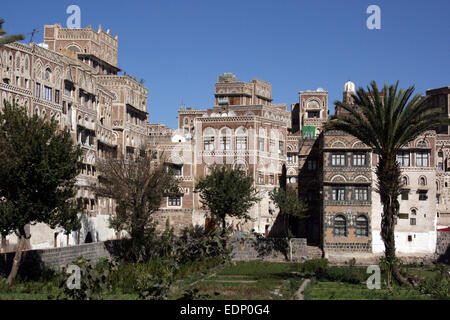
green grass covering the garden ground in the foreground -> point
(255, 280)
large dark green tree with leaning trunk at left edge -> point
(39, 167)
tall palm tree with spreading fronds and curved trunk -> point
(386, 122)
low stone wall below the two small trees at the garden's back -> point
(271, 249)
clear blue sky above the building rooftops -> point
(180, 47)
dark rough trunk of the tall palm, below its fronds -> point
(388, 173)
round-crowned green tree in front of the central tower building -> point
(227, 192)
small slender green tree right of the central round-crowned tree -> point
(290, 205)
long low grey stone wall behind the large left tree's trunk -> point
(34, 260)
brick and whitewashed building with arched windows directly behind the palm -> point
(351, 206)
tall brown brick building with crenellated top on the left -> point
(72, 77)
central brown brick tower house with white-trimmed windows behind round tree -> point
(242, 129)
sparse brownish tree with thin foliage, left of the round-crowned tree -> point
(138, 185)
